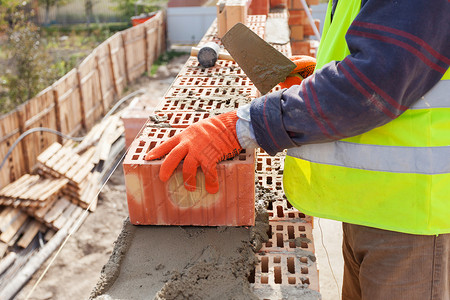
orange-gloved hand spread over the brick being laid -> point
(203, 144)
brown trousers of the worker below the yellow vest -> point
(385, 265)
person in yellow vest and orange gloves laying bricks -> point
(368, 139)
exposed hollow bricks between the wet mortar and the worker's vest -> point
(287, 264)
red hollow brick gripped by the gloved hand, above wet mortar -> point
(153, 202)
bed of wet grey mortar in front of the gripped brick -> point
(167, 262)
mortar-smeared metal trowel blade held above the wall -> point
(262, 63)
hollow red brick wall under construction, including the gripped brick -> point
(287, 263)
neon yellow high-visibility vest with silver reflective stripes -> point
(394, 177)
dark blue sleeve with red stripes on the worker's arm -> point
(399, 51)
